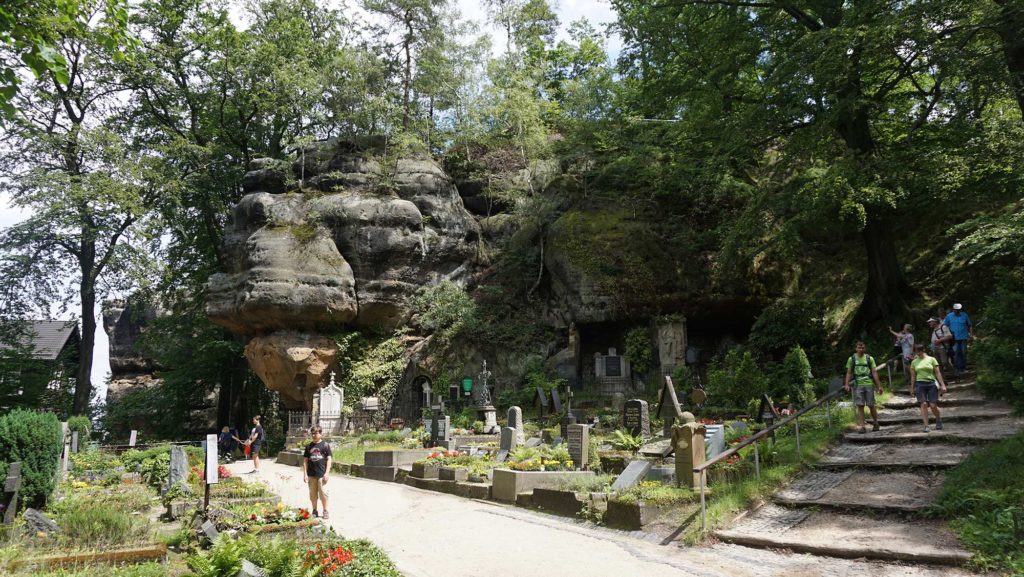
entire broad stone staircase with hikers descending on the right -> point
(862, 499)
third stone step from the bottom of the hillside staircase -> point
(891, 456)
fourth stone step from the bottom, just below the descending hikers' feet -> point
(985, 431)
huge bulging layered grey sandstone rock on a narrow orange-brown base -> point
(349, 246)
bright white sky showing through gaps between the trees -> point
(599, 13)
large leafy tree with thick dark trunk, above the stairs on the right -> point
(820, 112)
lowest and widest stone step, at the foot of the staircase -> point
(841, 535)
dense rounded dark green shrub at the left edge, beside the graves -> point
(34, 439)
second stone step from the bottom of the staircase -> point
(847, 489)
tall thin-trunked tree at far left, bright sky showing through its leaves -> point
(86, 182)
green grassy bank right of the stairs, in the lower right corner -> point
(980, 499)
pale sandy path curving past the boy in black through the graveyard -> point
(431, 534)
